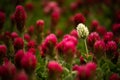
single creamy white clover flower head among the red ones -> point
(82, 31)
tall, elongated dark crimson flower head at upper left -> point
(20, 17)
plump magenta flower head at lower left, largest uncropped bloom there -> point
(29, 62)
